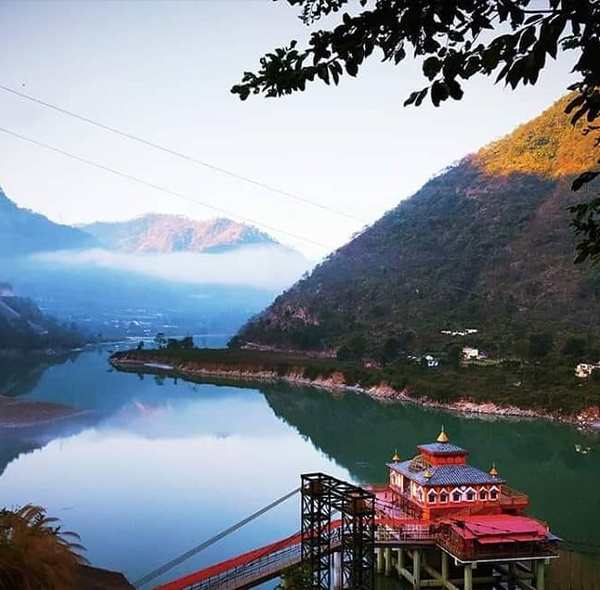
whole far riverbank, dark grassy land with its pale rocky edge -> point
(407, 384)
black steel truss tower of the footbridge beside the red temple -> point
(322, 496)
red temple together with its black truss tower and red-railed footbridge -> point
(438, 523)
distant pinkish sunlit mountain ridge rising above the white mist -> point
(174, 233)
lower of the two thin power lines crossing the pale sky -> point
(163, 189)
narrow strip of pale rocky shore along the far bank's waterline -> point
(586, 419)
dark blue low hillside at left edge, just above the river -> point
(24, 327)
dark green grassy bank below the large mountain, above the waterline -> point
(546, 389)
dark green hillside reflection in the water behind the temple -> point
(537, 457)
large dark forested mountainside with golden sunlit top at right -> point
(485, 245)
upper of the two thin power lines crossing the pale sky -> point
(182, 155)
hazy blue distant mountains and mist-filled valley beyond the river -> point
(171, 274)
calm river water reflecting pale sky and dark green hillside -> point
(163, 464)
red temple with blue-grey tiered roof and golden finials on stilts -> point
(464, 526)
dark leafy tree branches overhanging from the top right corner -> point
(456, 39)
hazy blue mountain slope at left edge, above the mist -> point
(24, 232)
